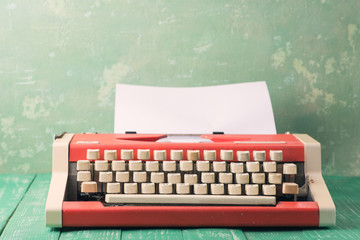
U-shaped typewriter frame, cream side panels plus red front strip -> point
(318, 212)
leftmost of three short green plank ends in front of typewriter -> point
(88, 233)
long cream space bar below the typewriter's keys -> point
(189, 199)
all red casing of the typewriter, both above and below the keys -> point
(95, 214)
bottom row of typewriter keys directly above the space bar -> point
(184, 188)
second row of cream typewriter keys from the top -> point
(185, 165)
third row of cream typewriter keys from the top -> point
(191, 179)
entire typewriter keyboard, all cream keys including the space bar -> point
(193, 181)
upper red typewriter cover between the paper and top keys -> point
(293, 149)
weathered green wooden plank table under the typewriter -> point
(23, 197)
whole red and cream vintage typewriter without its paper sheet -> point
(214, 180)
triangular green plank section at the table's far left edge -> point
(12, 189)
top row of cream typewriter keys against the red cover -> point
(176, 154)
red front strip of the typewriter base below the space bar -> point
(94, 214)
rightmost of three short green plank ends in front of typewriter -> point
(213, 233)
